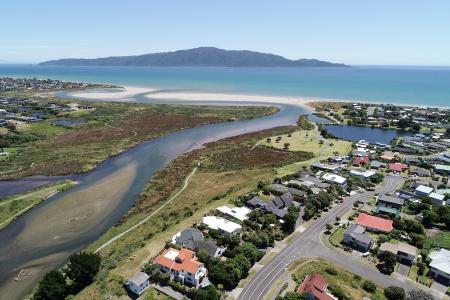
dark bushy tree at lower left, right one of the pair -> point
(82, 268)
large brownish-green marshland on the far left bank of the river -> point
(109, 129)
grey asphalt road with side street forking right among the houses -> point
(309, 244)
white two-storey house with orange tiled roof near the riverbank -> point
(182, 265)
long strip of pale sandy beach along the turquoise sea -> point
(128, 92)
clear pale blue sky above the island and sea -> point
(401, 32)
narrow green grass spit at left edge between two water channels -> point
(14, 206)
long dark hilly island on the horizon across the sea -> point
(196, 57)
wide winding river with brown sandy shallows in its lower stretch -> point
(44, 238)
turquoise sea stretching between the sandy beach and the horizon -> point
(420, 85)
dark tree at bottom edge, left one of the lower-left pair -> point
(52, 287)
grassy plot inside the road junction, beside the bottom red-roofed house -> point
(348, 282)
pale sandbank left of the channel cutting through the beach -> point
(115, 94)
